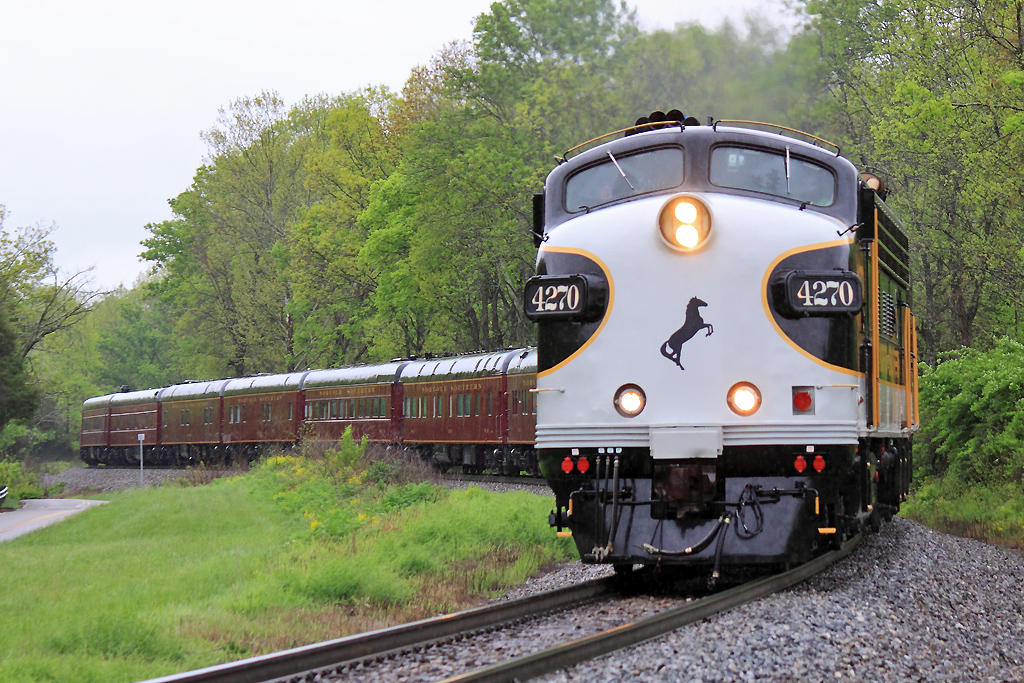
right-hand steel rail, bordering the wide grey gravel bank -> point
(546, 662)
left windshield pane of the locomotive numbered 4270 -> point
(627, 176)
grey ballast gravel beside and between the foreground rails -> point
(911, 605)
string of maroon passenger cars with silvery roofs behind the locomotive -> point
(476, 411)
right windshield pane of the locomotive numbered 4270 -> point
(777, 174)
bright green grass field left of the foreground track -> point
(172, 579)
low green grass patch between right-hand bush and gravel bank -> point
(994, 513)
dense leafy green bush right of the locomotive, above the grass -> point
(973, 415)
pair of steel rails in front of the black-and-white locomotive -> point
(391, 642)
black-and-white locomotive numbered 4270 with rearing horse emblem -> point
(727, 352)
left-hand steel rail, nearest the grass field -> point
(385, 642)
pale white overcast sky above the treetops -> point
(102, 102)
